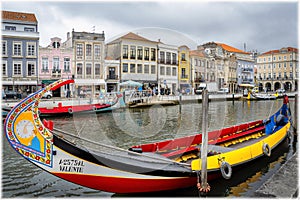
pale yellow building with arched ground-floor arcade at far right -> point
(278, 69)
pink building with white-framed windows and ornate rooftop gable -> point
(55, 62)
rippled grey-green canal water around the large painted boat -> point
(126, 127)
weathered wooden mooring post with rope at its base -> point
(204, 145)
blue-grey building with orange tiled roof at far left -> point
(20, 41)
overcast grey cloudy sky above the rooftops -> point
(263, 26)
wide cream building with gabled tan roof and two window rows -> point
(138, 58)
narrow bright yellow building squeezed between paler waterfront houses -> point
(184, 72)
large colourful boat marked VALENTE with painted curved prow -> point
(159, 166)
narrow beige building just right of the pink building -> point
(88, 62)
